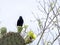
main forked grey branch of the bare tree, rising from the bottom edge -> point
(45, 27)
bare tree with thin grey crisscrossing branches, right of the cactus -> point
(50, 10)
